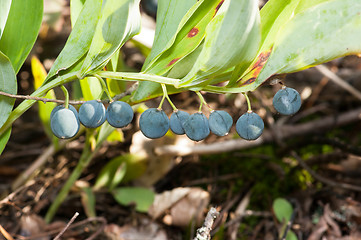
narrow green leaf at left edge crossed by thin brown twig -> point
(8, 84)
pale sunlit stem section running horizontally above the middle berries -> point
(139, 77)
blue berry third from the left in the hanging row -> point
(119, 114)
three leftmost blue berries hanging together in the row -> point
(65, 122)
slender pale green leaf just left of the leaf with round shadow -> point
(80, 38)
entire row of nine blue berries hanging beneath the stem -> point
(154, 123)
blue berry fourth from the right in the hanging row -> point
(197, 127)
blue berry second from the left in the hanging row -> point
(92, 114)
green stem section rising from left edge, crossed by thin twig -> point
(25, 105)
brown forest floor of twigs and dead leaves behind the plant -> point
(310, 161)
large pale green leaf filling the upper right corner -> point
(335, 32)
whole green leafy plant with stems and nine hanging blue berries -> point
(197, 46)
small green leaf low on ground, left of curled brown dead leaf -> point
(141, 197)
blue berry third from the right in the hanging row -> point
(220, 122)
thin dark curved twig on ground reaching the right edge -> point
(323, 179)
